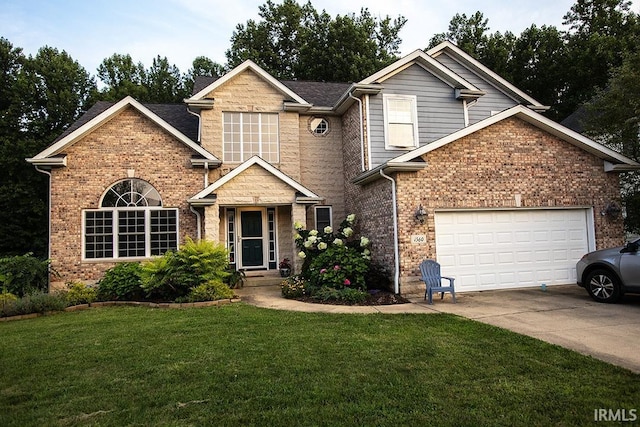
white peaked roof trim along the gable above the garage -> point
(532, 118)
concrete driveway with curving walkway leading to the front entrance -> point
(562, 315)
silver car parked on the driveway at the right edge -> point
(610, 273)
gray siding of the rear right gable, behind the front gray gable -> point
(495, 100)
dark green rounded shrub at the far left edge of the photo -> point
(23, 274)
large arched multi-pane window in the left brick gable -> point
(131, 223)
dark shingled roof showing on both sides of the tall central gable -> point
(320, 94)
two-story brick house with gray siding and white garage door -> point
(437, 156)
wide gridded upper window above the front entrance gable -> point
(250, 134)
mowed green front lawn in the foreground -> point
(241, 365)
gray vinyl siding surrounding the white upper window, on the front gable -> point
(439, 113)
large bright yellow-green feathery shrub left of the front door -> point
(174, 274)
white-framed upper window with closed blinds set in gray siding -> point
(400, 121)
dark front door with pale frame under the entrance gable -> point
(252, 239)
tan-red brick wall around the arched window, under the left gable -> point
(129, 141)
